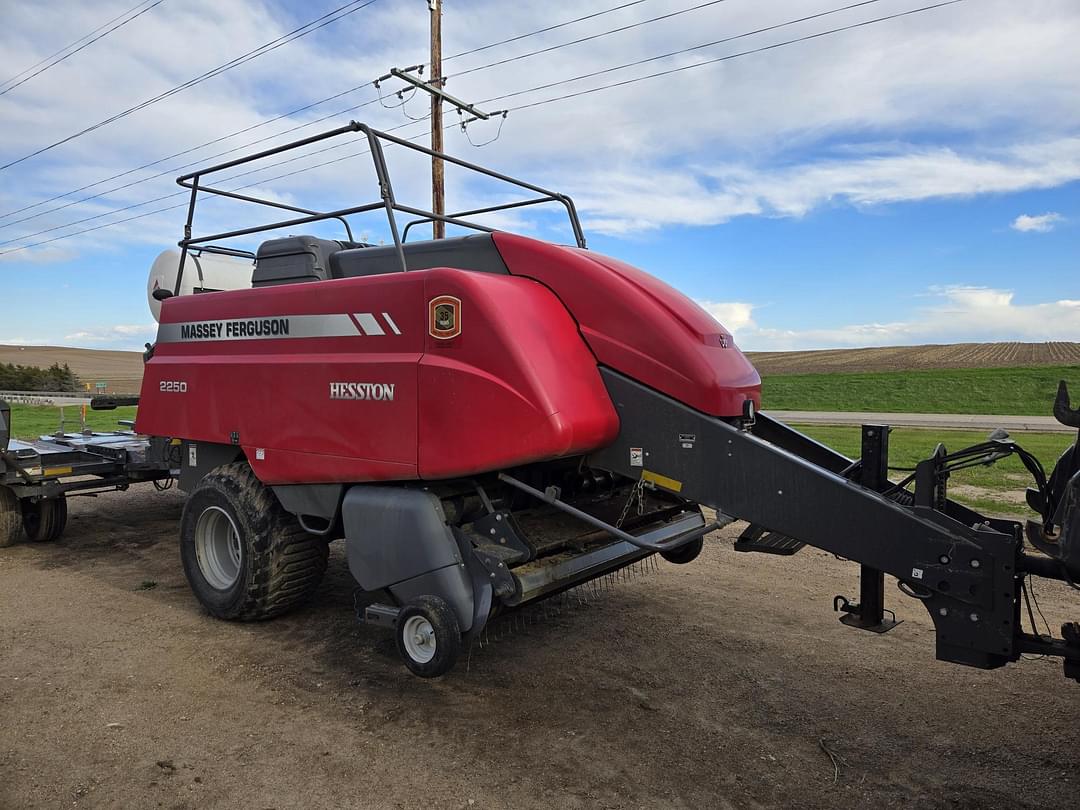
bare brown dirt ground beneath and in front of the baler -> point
(721, 684)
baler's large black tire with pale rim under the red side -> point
(265, 566)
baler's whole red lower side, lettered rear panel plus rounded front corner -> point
(518, 385)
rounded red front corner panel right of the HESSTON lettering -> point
(517, 386)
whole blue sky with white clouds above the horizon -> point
(909, 182)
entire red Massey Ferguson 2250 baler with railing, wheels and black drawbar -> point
(492, 420)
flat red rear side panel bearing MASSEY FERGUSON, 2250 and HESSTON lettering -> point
(276, 393)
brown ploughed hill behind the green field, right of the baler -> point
(911, 358)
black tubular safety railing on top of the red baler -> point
(388, 201)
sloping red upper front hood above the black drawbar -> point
(641, 327)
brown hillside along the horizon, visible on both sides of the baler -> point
(124, 371)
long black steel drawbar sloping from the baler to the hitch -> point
(967, 571)
